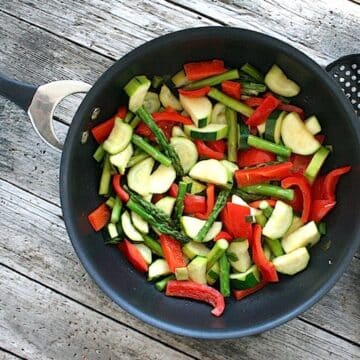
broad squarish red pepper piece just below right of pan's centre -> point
(234, 220)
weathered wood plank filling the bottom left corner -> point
(68, 330)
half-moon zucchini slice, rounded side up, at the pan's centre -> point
(210, 171)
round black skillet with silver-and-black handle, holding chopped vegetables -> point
(79, 177)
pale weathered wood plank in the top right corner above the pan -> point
(324, 30)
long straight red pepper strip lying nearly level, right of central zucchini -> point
(266, 173)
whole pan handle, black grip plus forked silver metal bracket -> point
(40, 102)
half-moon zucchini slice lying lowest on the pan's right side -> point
(291, 264)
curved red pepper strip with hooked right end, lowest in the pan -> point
(192, 290)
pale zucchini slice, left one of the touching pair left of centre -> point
(138, 177)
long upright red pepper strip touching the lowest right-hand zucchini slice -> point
(266, 268)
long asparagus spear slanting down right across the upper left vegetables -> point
(161, 139)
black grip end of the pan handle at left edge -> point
(19, 93)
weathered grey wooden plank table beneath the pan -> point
(49, 307)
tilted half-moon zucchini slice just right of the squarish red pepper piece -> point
(279, 221)
